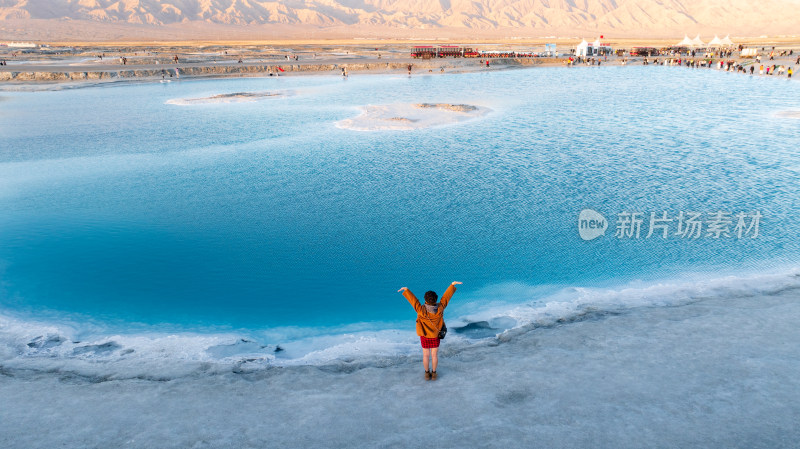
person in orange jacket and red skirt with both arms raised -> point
(430, 325)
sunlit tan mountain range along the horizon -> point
(469, 17)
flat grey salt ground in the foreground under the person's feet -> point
(717, 372)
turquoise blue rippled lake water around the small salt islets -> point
(121, 207)
